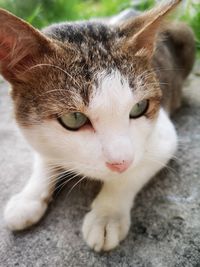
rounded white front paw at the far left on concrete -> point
(22, 212)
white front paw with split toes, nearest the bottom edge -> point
(104, 231)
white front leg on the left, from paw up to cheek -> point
(27, 207)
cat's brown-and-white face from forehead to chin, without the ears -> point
(106, 89)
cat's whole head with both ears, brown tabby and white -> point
(85, 94)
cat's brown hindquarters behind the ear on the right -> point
(173, 61)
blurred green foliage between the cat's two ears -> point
(41, 13)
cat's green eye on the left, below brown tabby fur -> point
(73, 121)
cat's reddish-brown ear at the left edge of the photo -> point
(20, 43)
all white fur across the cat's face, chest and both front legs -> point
(150, 144)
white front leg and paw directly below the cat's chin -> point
(109, 220)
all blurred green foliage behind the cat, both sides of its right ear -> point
(41, 13)
